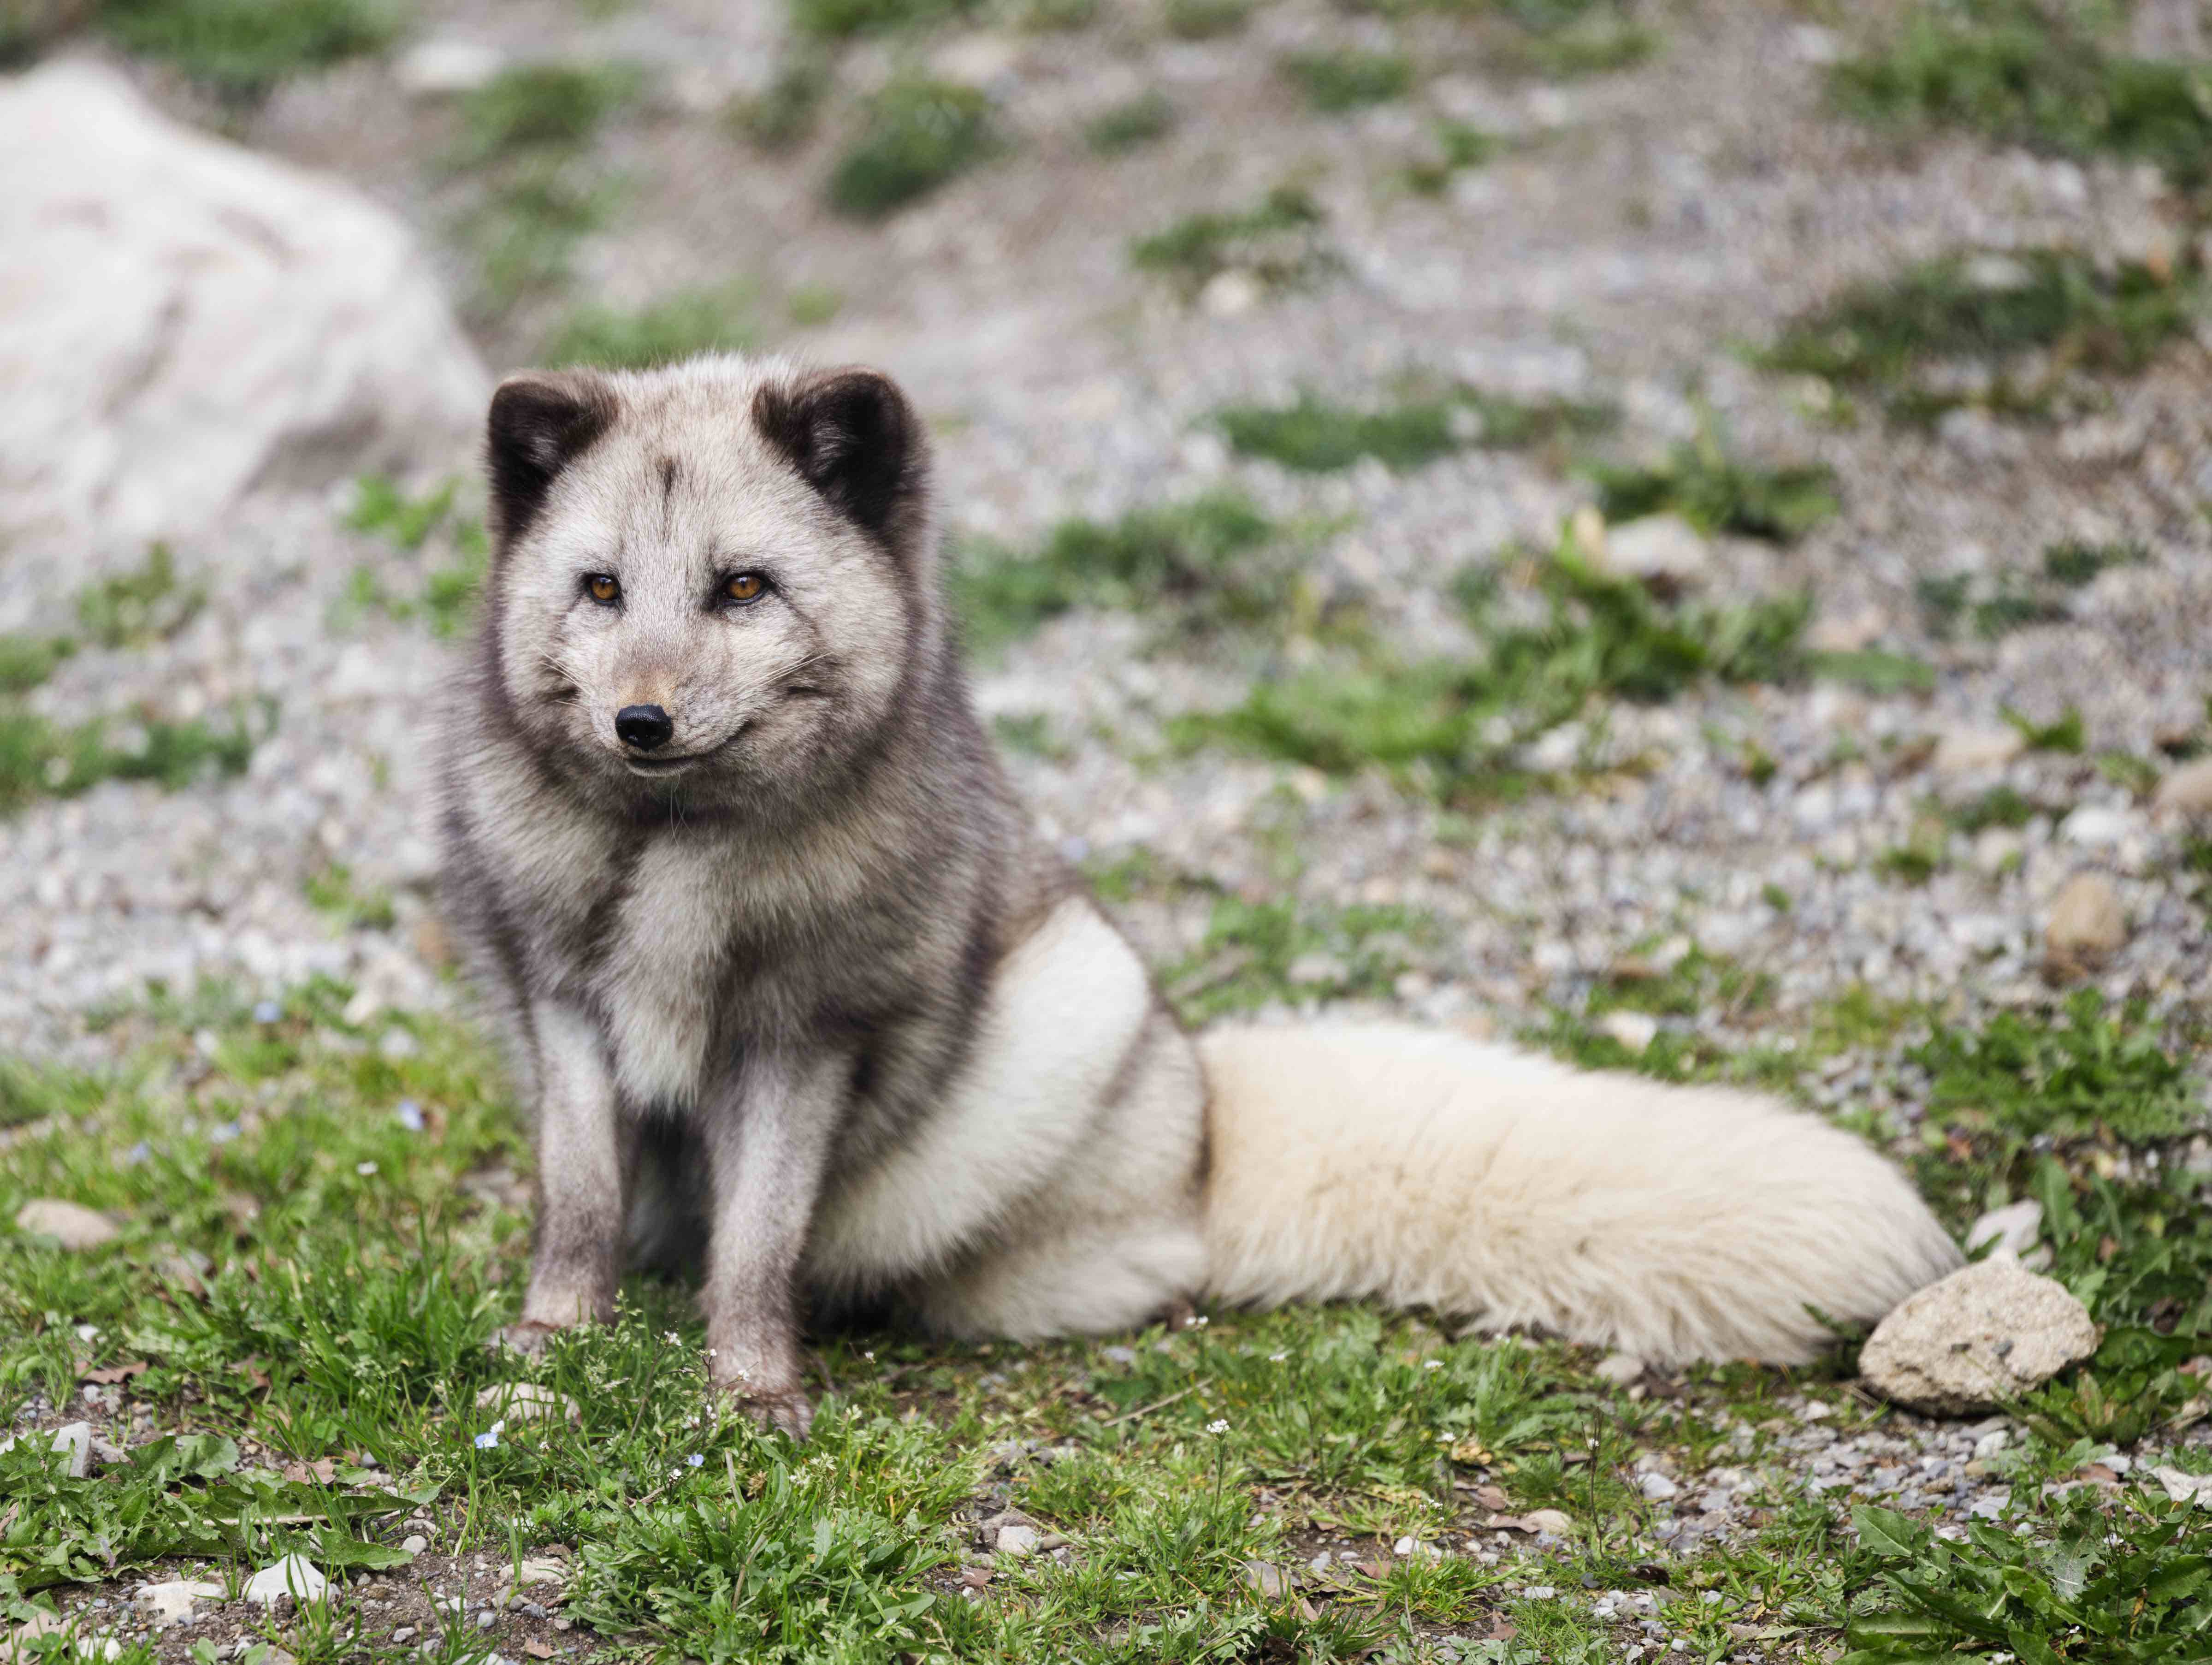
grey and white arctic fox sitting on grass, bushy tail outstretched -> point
(784, 970)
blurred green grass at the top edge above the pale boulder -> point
(242, 50)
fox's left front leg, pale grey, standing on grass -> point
(585, 1155)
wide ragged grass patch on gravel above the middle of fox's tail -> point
(1452, 729)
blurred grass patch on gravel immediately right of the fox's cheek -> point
(1207, 563)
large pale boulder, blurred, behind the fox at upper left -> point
(185, 322)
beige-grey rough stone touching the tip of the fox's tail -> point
(1979, 1339)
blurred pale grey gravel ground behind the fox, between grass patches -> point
(1649, 224)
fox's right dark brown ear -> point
(853, 437)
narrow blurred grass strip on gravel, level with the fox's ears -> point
(1317, 437)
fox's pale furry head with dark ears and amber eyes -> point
(711, 583)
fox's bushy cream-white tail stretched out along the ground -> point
(1432, 1171)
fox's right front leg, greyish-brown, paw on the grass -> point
(769, 1144)
